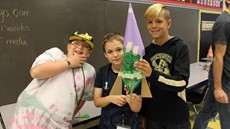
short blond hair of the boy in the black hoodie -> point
(155, 10)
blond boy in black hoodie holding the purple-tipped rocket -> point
(166, 64)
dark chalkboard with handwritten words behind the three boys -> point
(28, 28)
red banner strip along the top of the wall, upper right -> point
(201, 4)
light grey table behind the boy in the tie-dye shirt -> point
(7, 112)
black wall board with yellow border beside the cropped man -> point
(206, 22)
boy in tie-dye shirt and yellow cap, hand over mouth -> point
(61, 84)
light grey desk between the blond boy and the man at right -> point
(198, 76)
